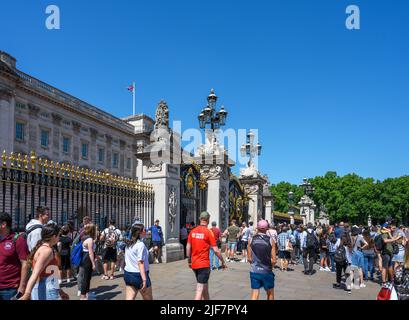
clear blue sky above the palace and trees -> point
(323, 98)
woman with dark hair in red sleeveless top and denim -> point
(43, 282)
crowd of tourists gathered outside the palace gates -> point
(35, 263)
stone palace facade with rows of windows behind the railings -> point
(35, 116)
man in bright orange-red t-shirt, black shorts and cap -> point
(200, 240)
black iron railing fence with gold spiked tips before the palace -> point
(70, 193)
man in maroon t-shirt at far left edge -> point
(13, 260)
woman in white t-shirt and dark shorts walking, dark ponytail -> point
(136, 274)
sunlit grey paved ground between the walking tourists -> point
(175, 281)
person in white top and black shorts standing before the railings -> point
(110, 235)
